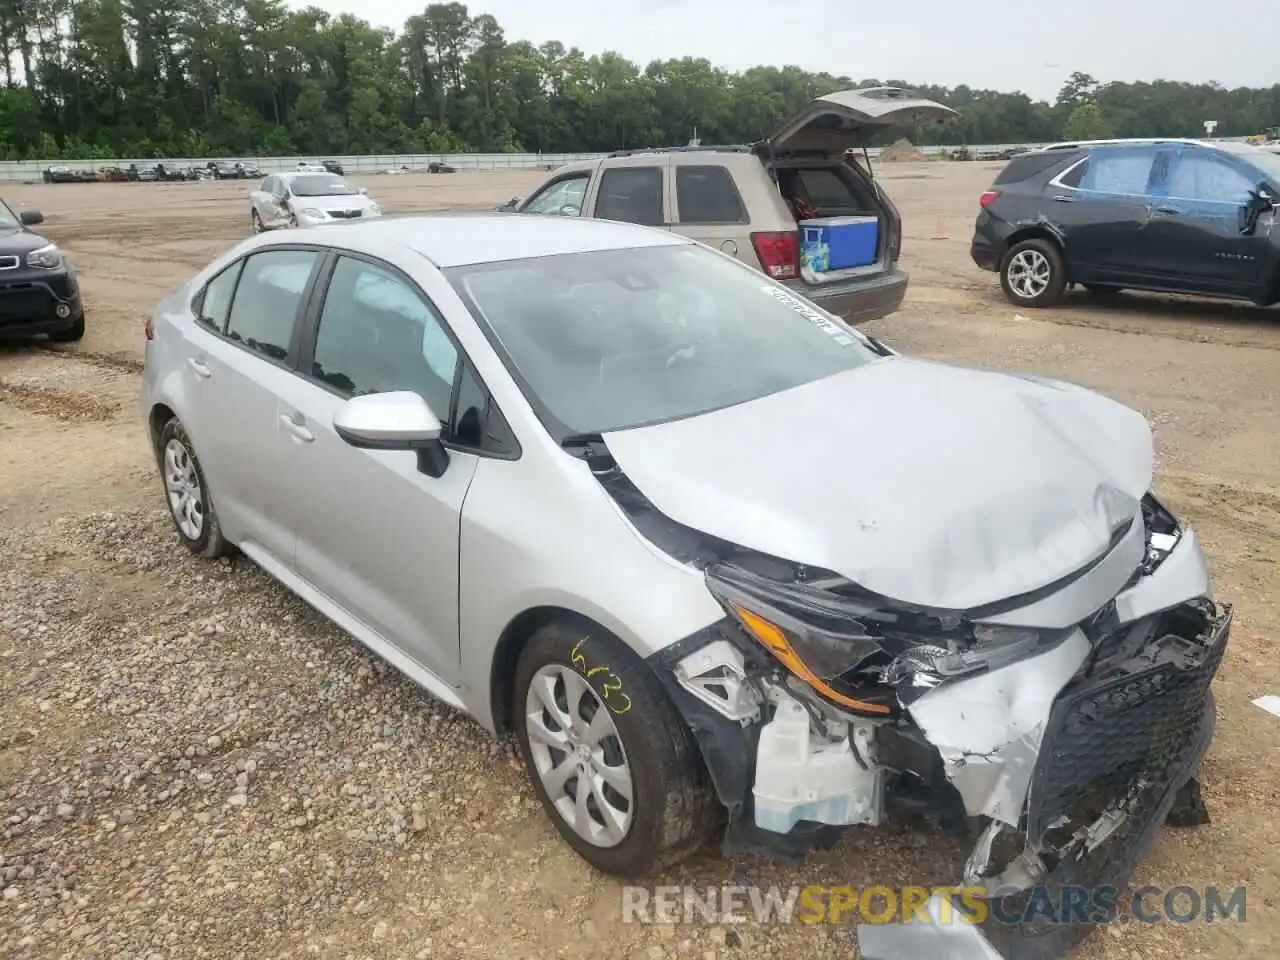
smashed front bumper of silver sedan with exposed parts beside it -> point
(1072, 758)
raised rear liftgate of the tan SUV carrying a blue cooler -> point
(849, 120)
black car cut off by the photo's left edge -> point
(38, 285)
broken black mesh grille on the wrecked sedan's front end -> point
(1126, 725)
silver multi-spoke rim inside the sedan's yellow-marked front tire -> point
(579, 756)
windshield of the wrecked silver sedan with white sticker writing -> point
(612, 340)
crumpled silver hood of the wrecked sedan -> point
(930, 484)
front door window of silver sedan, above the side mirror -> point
(378, 335)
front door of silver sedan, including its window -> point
(374, 534)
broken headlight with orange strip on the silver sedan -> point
(830, 639)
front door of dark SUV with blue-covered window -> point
(1195, 225)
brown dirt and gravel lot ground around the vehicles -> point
(195, 765)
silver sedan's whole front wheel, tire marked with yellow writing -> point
(612, 762)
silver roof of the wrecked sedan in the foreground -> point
(482, 239)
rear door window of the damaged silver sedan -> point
(268, 299)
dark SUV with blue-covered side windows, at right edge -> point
(1173, 216)
